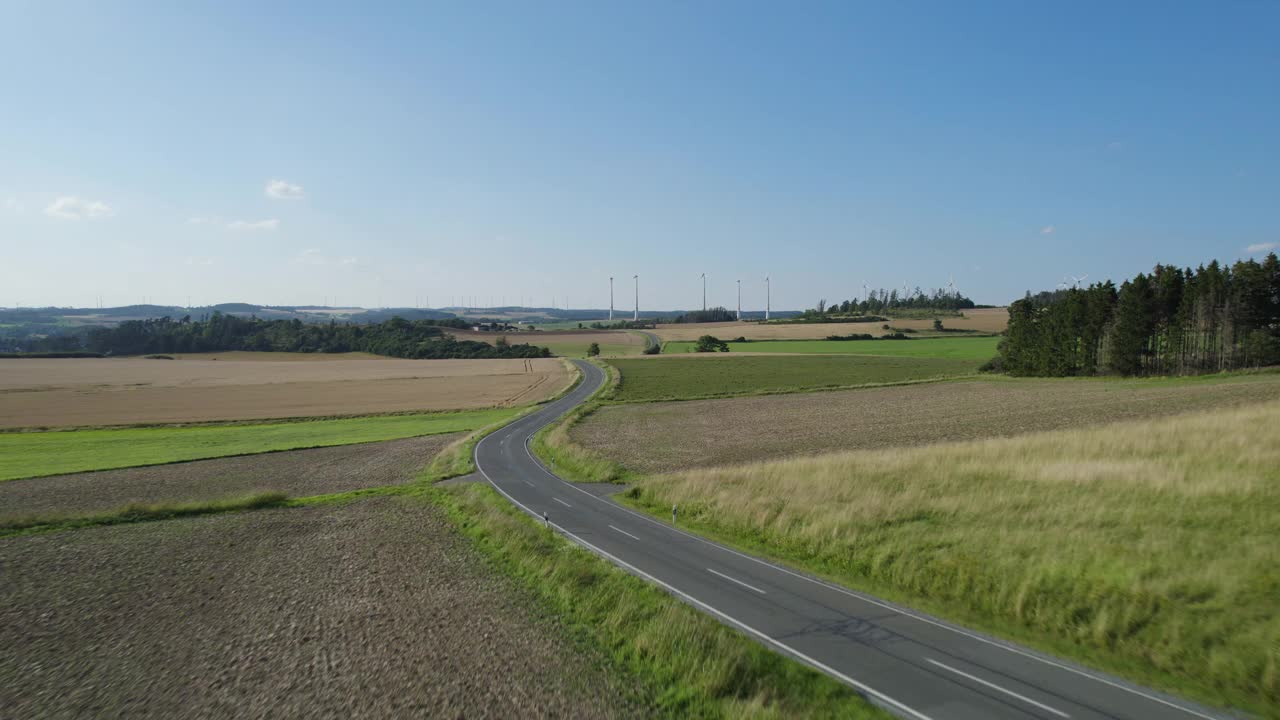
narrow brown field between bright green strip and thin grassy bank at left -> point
(298, 473)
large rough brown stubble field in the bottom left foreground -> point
(371, 609)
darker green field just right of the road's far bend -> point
(680, 379)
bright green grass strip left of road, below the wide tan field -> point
(26, 455)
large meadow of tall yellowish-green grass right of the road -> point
(1146, 549)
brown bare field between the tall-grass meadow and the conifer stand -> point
(660, 438)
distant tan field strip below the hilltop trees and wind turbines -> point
(988, 320)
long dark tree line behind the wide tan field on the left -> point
(396, 338)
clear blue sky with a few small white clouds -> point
(523, 153)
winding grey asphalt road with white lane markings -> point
(908, 663)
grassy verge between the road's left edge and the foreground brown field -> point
(691, 664)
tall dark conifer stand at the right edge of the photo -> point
(1173, 321)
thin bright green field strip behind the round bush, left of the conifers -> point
(981, 349)
